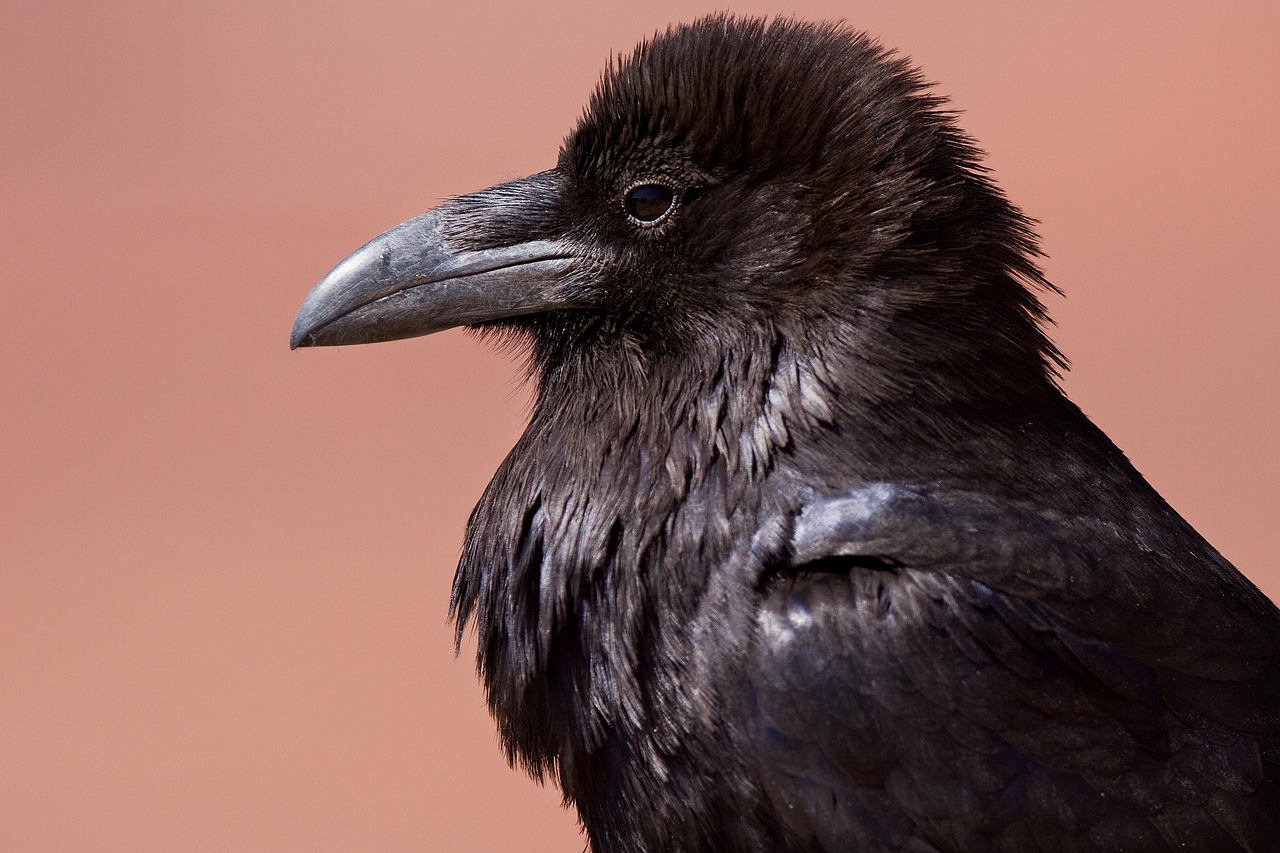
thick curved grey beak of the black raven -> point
(422, 277)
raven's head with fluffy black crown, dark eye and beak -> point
(732, 180)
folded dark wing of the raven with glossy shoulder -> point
(944, 669)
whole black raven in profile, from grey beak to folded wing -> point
(803, 548)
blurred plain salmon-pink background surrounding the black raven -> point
(225, 568)
